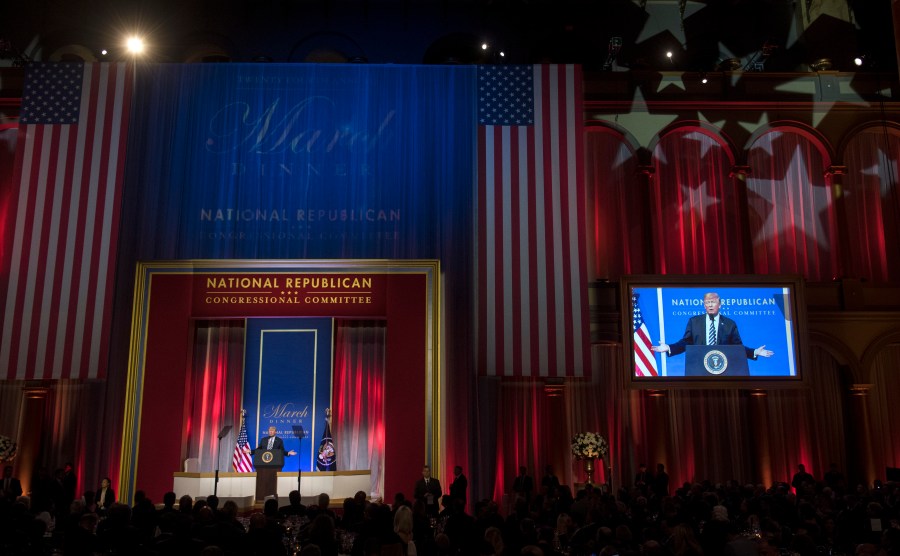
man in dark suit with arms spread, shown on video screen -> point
(711, 329)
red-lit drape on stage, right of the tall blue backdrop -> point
(359, 398)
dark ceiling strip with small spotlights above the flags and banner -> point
(766, 35)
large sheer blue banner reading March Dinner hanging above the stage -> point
(300, 161)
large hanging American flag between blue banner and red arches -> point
(531, 265)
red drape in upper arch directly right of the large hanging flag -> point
(614, 191)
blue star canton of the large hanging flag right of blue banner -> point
(505, 95)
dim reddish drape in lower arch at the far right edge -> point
(884, 413)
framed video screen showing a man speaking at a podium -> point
(714, 331)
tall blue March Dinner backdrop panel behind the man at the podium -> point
(287, 383)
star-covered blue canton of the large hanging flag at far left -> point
(52, 94)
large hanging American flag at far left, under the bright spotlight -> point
(61, 223)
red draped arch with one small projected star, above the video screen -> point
(696, 214)
